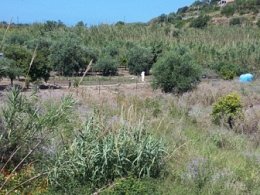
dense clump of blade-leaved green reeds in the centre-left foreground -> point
(98, 156)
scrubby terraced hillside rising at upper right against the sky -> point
(243, 13)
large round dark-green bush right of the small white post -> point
(176, 72)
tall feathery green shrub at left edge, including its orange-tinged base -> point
(25, 133)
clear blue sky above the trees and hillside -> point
(91, 12)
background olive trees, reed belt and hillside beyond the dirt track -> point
(136, 47)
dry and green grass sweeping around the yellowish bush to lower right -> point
(203, 158)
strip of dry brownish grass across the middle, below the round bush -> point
(126, 98)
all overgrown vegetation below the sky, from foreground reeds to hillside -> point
(201, 139)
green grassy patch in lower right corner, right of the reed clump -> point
(210, 160)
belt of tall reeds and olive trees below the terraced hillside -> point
(56, 53)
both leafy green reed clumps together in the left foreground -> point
(41, 136)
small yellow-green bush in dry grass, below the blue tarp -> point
(227, 109)
